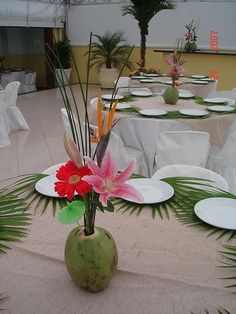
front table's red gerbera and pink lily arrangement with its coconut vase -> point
(89, 180)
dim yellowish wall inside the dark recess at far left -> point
(34, 63)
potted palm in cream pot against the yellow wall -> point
(109, 52)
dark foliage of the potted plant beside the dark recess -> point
(62, 50)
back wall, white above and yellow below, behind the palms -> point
(165, 27)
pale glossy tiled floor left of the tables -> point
(35, 150)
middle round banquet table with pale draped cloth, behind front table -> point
(140, 132)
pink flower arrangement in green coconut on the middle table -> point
(171, 94)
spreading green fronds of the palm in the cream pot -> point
(110, 50)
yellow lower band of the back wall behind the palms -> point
(195, 64)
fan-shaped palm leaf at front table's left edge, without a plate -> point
(13, 220)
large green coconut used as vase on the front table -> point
(91, 260)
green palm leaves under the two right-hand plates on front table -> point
(187, 193)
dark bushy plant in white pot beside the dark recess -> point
(62, 63)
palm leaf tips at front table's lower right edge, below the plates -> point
(229, 255)
